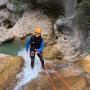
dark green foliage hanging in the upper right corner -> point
(84, 14)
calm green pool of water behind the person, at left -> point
(12, 48)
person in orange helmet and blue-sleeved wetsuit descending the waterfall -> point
(36, 44)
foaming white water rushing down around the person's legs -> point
(27, 74)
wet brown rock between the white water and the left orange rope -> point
(41, 83)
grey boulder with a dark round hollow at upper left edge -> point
(7, 18)
